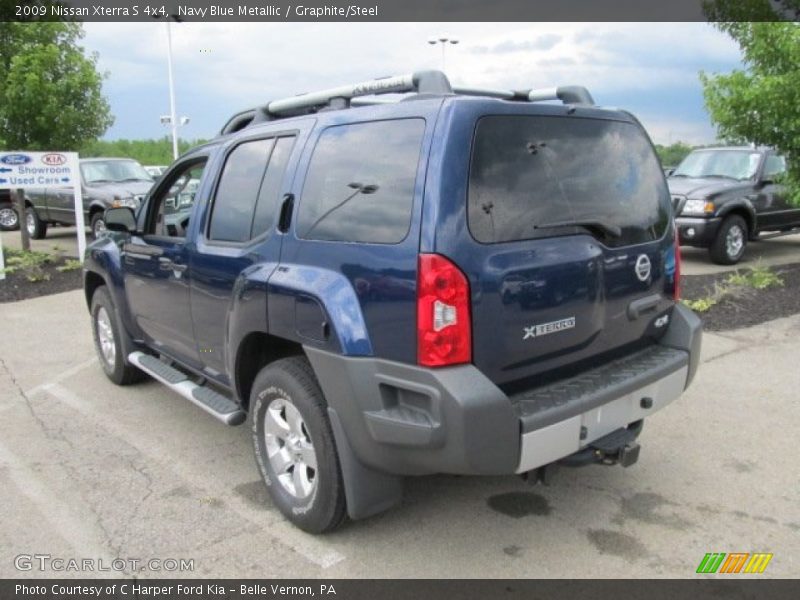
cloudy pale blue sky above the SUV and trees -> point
(650, 69)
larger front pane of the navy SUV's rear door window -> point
(237, 192)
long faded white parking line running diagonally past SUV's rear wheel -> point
(309, 548)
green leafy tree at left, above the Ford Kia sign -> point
(50, 89)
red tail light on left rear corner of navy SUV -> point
(444, 331)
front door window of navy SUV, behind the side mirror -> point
(173, 208)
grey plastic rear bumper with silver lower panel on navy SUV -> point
(407, 420)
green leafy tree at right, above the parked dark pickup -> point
(758, 104)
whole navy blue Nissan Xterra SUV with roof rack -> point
(447, 280)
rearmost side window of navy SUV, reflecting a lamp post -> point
(360, 183)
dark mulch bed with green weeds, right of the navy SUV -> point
(746, 306)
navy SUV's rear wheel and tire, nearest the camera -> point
(291, 431)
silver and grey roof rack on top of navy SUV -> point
(420, 82)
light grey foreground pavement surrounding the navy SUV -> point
(90, 470)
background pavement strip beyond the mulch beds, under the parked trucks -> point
(778, 251)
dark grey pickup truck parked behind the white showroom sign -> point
(105, 183)
